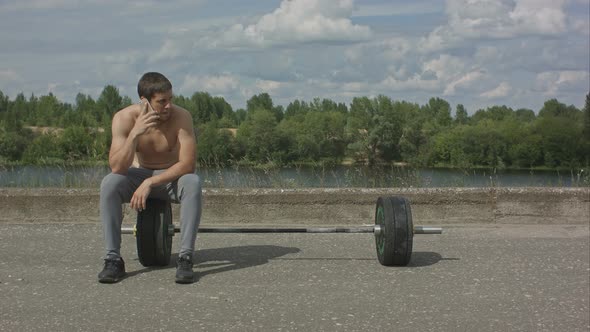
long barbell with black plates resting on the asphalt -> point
(393, 231)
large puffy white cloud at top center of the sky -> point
(297, 21)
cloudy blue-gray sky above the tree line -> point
(478, 53)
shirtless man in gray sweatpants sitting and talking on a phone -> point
(159, 136)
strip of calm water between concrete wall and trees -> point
(306, 177)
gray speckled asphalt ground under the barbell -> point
(470, 278)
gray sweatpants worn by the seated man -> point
(117, 189)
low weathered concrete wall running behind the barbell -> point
(430, 206)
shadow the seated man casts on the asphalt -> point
(218, 260)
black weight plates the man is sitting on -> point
(154, 242)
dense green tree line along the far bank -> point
(370, 131)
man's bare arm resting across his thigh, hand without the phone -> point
(185, 164)
